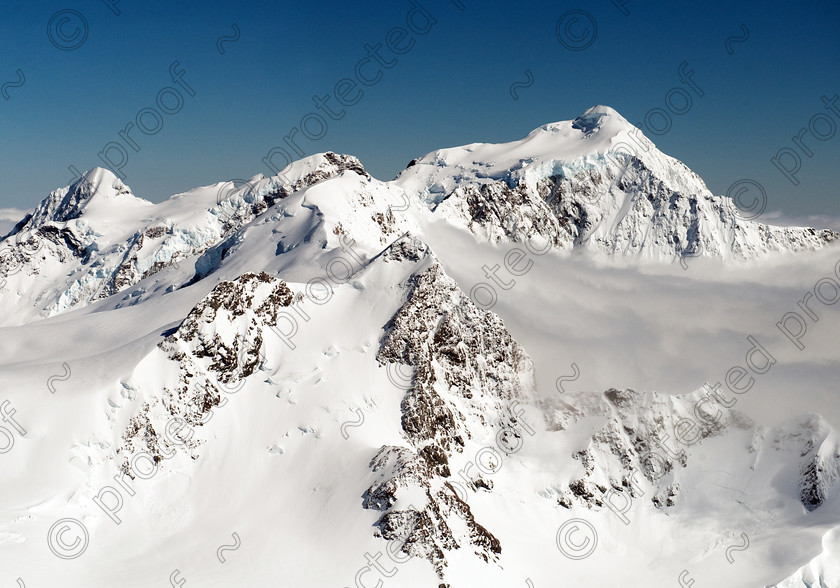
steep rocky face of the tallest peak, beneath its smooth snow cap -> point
(619, 206)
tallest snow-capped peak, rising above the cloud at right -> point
(598, 184)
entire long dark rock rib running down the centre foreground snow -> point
(468, 371)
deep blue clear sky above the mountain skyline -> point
(452, 87)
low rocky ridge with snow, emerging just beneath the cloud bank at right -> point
(647, 440)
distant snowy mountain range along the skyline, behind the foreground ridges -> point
(593, 183)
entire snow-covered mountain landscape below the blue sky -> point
(299, 364)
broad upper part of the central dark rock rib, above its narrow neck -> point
(456, 349)
